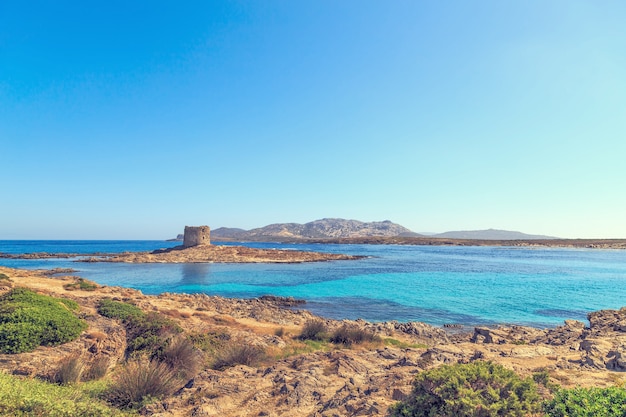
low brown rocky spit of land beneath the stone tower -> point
(196, 254)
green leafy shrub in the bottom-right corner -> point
(587, 402)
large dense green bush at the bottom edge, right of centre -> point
(478, 389)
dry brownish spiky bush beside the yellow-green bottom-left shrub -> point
(141, 382)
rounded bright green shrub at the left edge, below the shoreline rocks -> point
(29, 320)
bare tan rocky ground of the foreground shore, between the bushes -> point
(324, 380)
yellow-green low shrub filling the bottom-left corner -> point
(32, 397)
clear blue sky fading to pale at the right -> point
(130, 120)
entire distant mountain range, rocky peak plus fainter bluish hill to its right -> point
(346, 229)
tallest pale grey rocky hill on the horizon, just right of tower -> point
(318, 229)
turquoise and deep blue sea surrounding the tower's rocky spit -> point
(439, 285)
